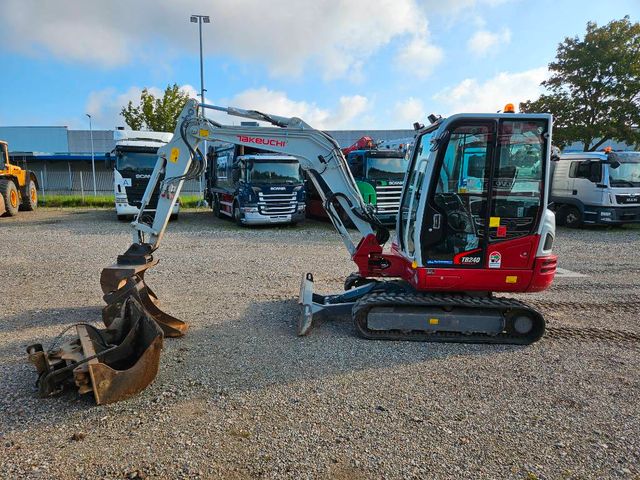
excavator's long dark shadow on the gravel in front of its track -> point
(262, 349)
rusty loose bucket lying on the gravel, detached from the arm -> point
(114, 363)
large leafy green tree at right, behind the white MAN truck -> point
(594, 88)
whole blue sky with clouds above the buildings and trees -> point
(337, 64)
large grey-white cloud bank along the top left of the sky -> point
(286, 36)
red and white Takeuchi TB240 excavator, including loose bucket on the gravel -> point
(473, 221)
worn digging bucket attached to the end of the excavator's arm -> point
(120, 282)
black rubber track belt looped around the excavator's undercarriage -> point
(506, 305)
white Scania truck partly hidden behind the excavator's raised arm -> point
(132, 161)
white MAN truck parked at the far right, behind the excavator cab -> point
(596, 188)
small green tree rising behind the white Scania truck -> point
(156, 114)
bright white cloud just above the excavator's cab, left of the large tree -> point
(472, 96)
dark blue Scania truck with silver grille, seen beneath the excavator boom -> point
(254, 187)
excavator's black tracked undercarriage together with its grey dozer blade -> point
(394, 310)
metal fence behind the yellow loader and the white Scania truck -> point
(78, 180)
